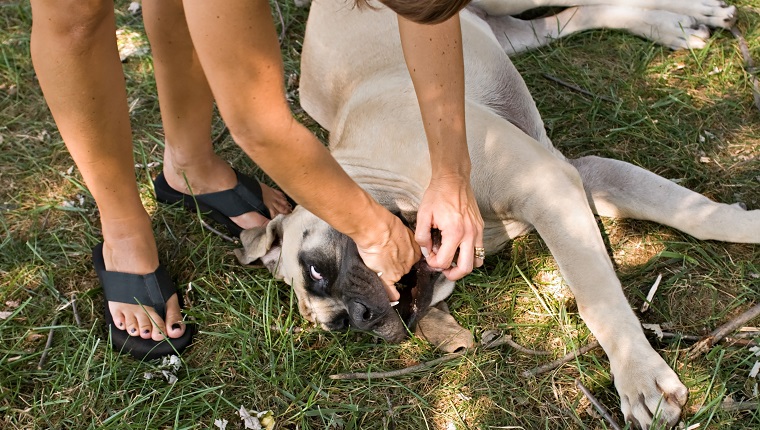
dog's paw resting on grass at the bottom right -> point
(650, 392)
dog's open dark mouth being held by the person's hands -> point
(416, 290)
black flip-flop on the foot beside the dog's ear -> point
(219, 206)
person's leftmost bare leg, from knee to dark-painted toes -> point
(75, 57)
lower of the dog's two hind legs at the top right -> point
(670, 29)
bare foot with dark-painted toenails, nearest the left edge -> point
(131, 248)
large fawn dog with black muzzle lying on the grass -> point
(361, 92)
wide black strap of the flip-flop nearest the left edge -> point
(153, 289)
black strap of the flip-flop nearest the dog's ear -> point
(243, 198)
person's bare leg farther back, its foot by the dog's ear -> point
(186, 111)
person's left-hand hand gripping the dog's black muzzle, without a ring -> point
(391, 254)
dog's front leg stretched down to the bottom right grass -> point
(649, 389)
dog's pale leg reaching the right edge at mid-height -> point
(619, 189)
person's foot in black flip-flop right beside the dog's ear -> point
(211, 174)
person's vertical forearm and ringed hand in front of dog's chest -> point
(434, 58)
